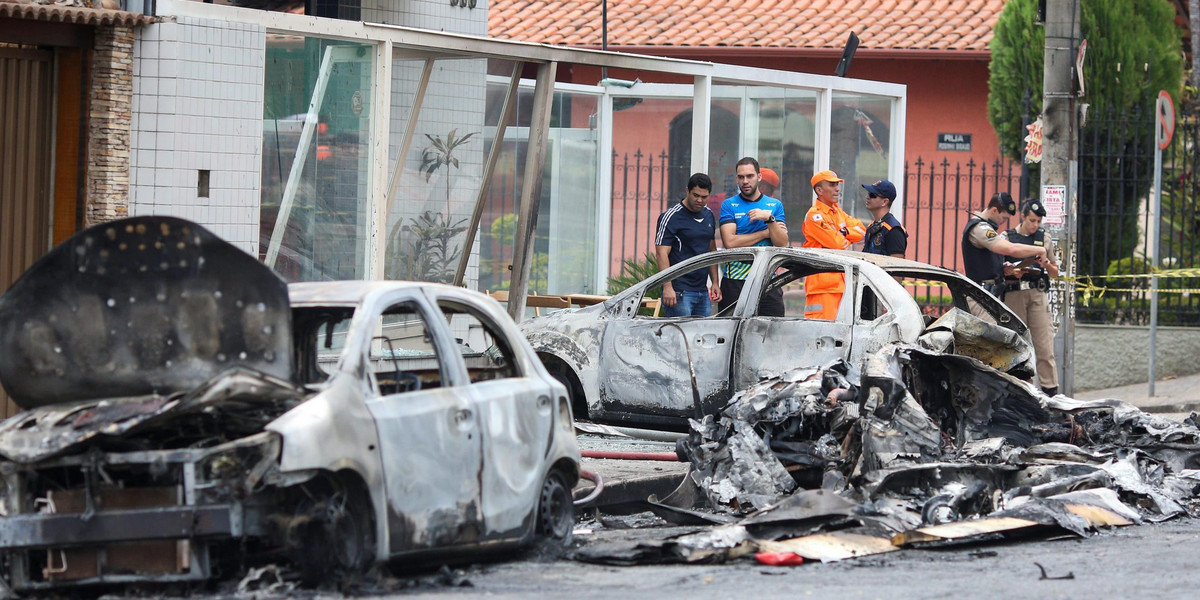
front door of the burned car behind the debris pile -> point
(647, 364)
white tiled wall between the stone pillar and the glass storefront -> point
(199, 106)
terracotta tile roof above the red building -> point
(880, 25)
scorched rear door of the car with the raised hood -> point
(515, 417)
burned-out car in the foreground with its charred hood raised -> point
(189, 416)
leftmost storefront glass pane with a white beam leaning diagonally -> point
(316, 167)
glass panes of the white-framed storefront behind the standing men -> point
(599, 201)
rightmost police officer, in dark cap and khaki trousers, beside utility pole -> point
(1025, 290)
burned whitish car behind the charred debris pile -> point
(626, 367)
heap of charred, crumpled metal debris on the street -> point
(917, 448)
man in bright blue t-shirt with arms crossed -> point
(752, 219)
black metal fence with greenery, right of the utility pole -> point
(1115, 221)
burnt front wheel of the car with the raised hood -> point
(333, 536)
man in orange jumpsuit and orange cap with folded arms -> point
(827, 226)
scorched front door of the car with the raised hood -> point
(431, 447)
